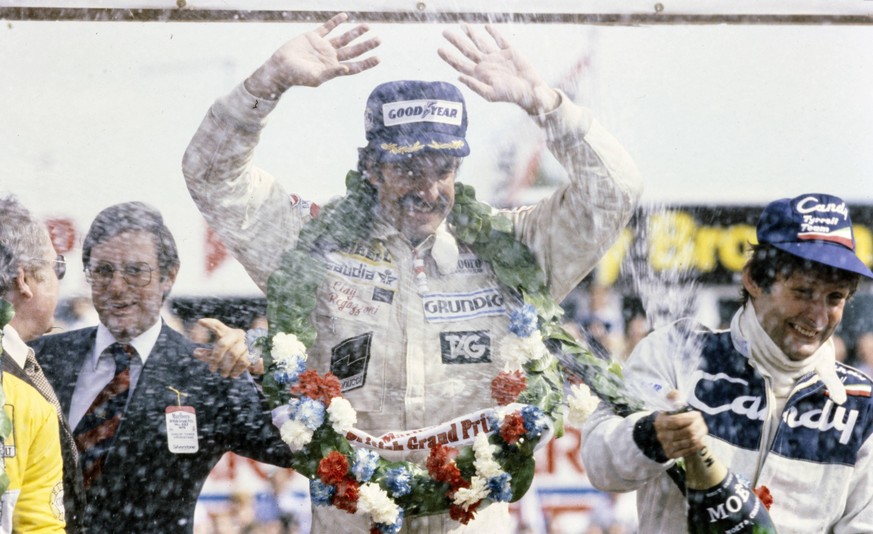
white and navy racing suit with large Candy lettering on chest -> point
(818, 467)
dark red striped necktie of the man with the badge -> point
(95, 432)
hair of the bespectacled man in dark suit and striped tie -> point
(133, 217)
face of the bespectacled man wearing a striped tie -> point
(125, 307)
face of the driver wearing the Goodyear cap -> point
(416, 195)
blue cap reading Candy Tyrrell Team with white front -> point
(816, 227)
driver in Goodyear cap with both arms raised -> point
(408, 317)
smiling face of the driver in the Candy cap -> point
(800, 311)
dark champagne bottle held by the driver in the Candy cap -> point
(720, 502)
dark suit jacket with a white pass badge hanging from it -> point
(143, 486)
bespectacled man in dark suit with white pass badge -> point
(149, 419)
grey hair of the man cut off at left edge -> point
(23, 240)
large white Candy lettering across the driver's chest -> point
(823, 419)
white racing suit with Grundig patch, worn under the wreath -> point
(410, 355)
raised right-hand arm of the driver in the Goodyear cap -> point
(570, 231)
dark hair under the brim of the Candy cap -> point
(768, 264)
